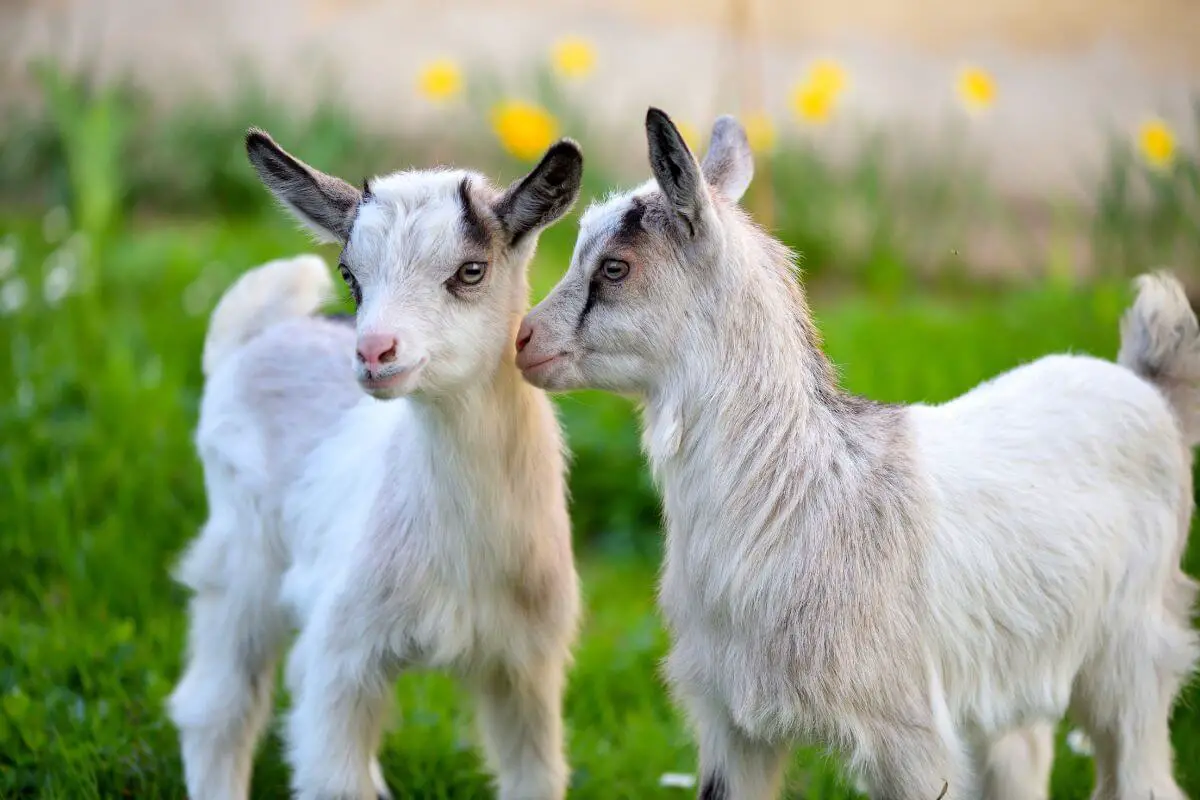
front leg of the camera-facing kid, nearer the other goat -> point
(521, 724)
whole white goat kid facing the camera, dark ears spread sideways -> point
(430, 531)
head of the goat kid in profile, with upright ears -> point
(644, 264)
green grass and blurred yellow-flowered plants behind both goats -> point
(122, 221)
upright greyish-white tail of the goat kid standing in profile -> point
(1161, 342)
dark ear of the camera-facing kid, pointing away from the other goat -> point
(326, 204)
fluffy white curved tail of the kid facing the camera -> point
(265, 297)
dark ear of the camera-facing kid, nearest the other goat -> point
(544, 195)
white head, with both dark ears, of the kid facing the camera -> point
(435, 260)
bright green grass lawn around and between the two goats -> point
(100, 489)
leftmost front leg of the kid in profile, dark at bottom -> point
(733, 766)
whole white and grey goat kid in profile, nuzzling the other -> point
(907, 585)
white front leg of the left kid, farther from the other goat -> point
(341, 688)
